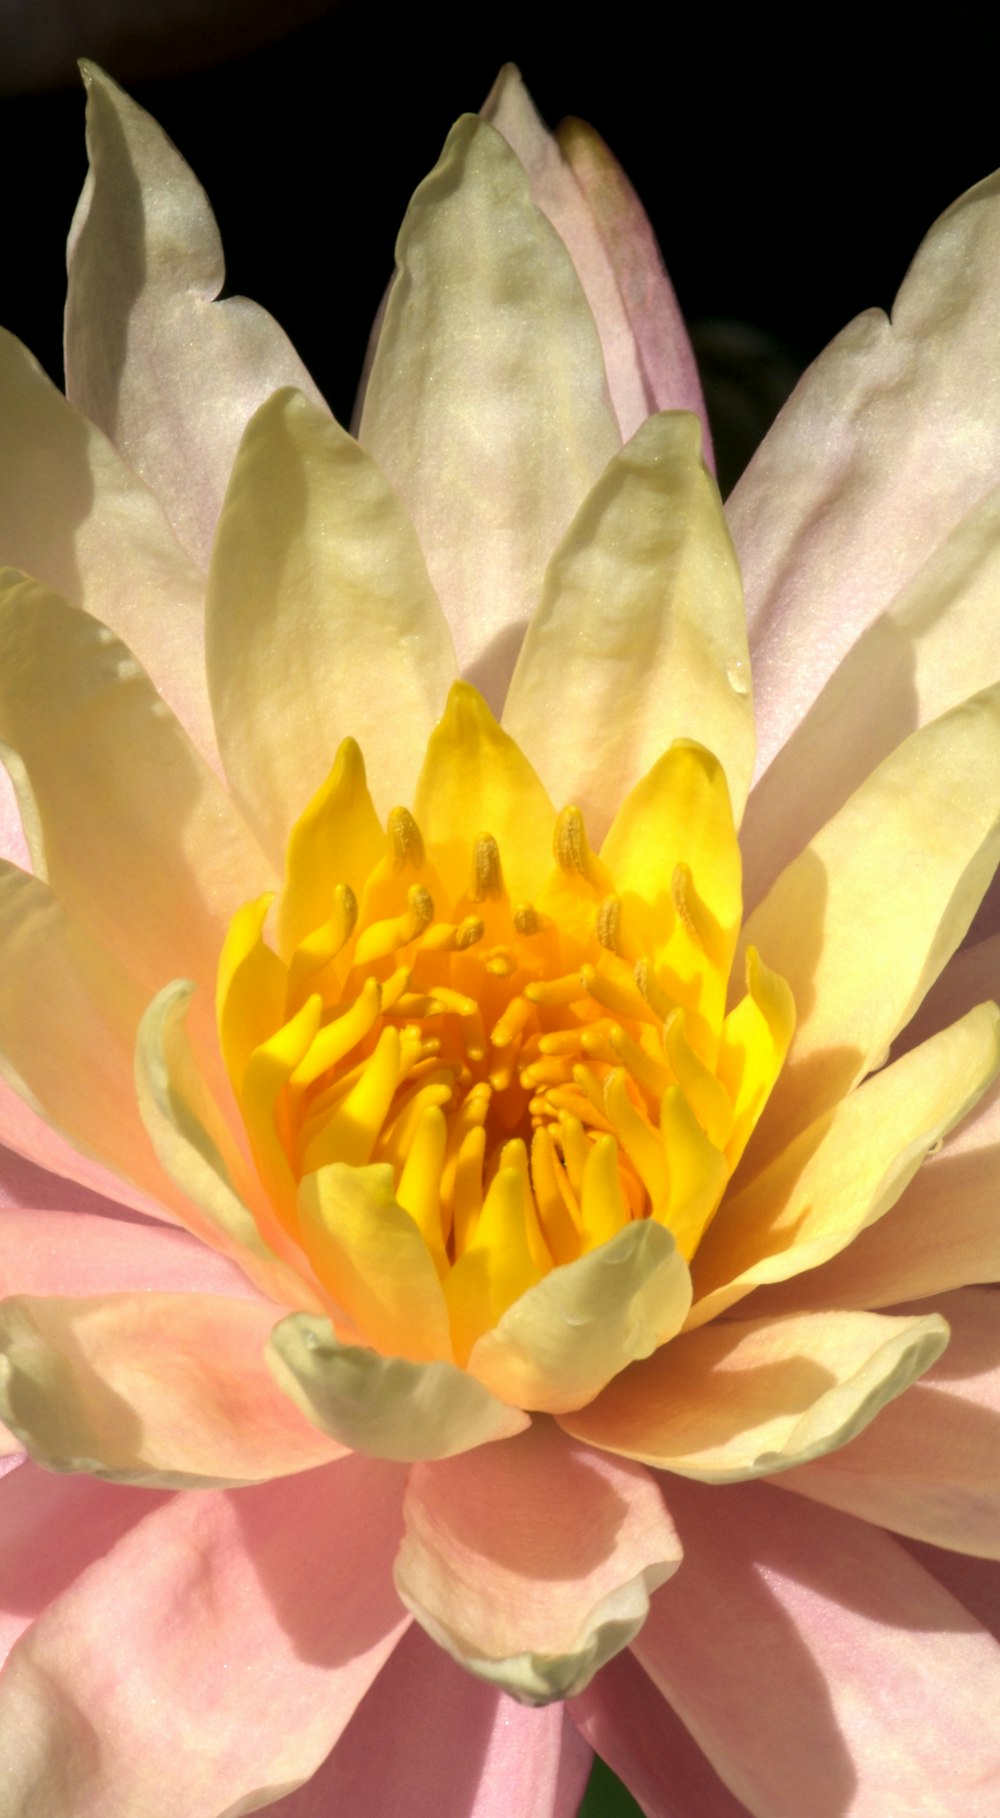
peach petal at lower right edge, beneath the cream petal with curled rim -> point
(928, 1466)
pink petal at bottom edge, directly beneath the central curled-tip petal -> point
(434, 1743)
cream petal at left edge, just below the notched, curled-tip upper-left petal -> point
(85, 524)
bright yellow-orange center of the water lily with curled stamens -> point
(534, 1074)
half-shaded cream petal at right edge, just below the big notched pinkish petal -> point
(925, 655)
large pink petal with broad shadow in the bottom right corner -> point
(819, 1668)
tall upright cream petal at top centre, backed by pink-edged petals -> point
(486, 405)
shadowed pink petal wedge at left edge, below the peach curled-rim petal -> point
(52, 1528)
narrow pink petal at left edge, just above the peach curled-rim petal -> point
(79, 1252)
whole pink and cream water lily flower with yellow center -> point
(474, 1292)
